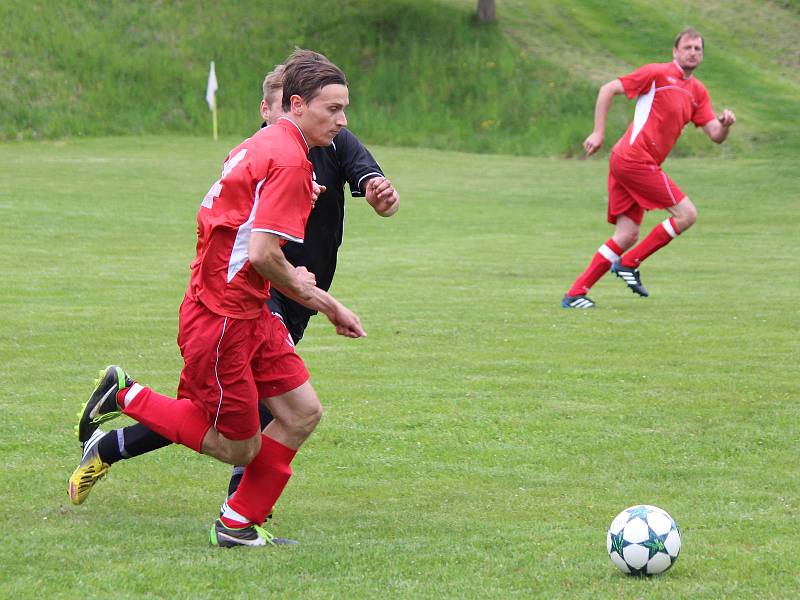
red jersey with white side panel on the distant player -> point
(668, 100)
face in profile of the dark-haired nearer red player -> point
(323, 117)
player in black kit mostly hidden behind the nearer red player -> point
(344, 161)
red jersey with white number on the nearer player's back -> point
(265, 186)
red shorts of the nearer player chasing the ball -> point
(230, 363)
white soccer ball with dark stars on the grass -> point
(643, 540)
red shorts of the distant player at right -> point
(636, 187)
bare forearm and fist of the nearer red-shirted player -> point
(266, 256)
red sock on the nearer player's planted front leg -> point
(263, 481)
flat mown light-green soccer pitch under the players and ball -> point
(476, 444)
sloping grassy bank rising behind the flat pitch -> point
(422, 73)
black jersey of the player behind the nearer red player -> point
(346, 160)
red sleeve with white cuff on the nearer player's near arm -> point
(284, 202)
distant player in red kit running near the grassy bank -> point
(669, 97)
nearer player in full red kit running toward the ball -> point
(235, 351)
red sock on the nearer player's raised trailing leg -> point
(178, 420)
